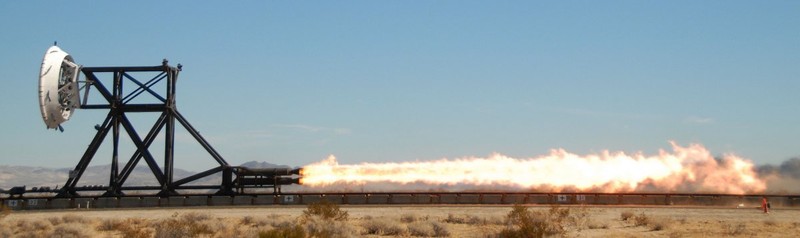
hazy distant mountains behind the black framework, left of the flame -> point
(30, 176)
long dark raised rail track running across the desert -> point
(399, 198)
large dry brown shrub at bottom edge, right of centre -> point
(524, 223)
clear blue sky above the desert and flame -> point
(370, 81)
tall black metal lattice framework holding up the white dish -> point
(119, 104)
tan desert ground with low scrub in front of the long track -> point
(403, 221)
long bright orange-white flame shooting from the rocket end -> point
(686, 169)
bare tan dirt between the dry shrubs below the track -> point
(459, 221)
